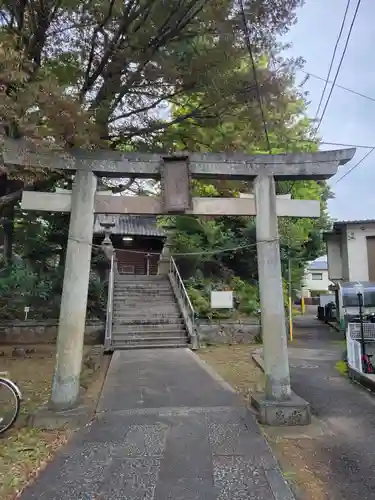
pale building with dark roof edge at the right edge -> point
(351, 251)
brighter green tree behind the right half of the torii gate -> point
(290, 130)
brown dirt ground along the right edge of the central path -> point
(236, 366)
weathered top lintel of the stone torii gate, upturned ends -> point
(289, 166)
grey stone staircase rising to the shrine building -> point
(146, 314)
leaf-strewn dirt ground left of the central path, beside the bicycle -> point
(24, 451)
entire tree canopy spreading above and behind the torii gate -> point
(155, 75)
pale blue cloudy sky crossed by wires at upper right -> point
(349, 118)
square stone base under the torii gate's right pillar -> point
(294, 411)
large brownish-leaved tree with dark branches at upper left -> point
(111, 70)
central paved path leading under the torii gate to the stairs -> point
(167, 428)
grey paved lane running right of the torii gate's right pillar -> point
(343, 458)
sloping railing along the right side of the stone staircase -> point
(184, 301)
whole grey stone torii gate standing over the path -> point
(175, 172)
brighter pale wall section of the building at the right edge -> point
(357, 250)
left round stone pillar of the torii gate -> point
(69, 349)
